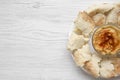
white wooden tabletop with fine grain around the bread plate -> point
(33, 38)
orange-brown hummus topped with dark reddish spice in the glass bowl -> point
(106, 40)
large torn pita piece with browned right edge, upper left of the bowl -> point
(84, 23)
